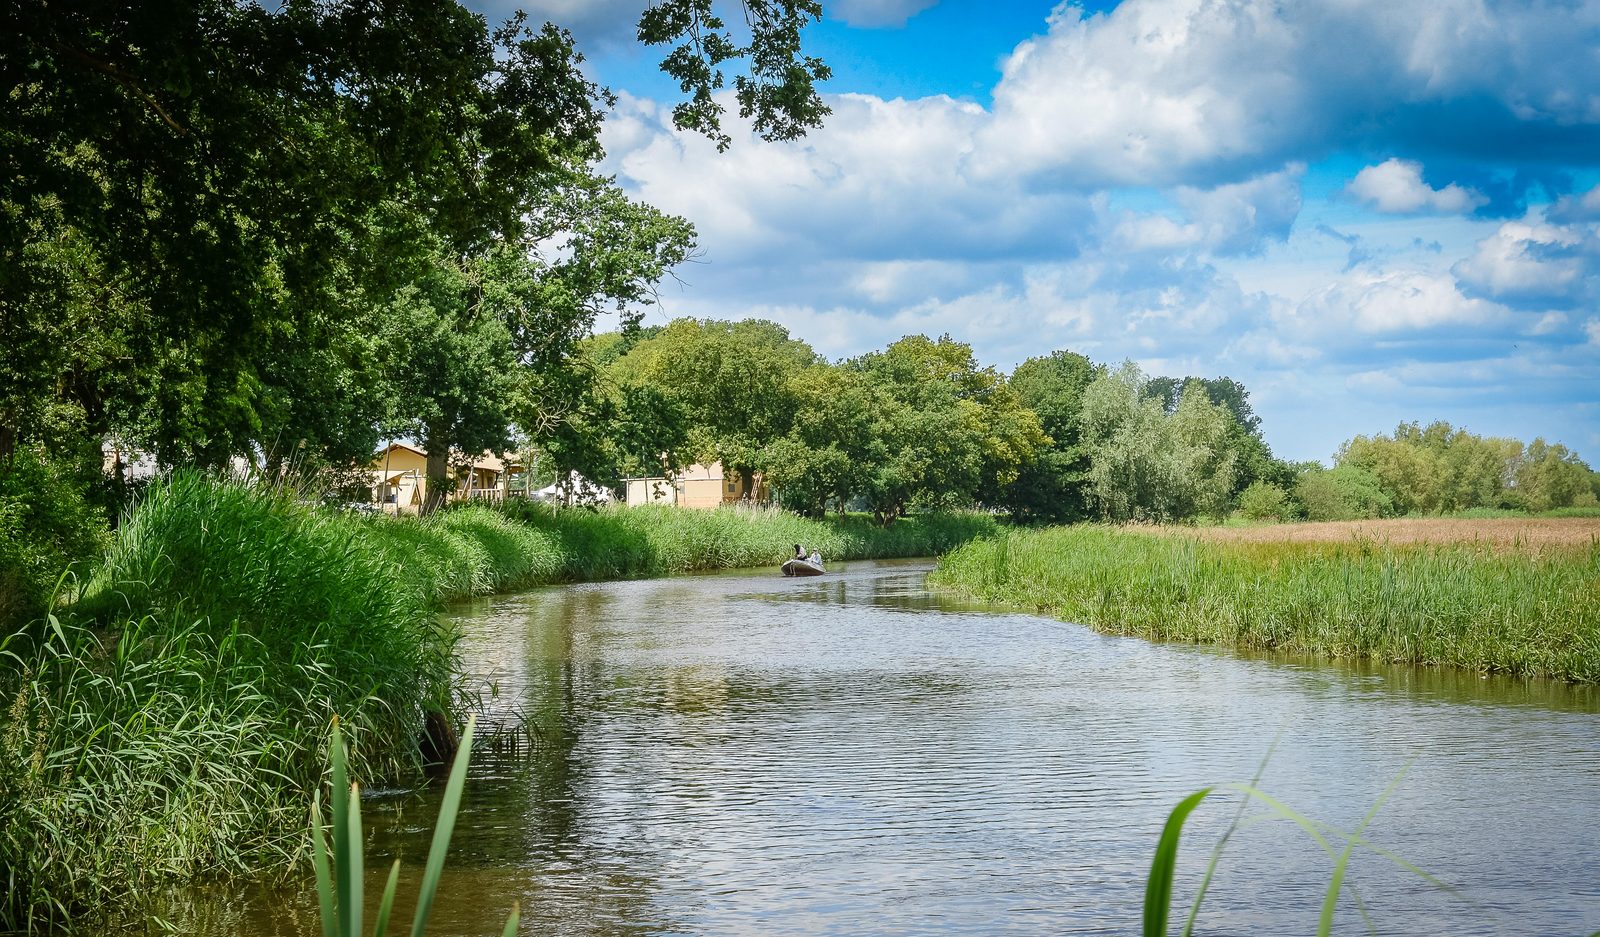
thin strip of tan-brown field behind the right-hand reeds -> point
(1502, 533)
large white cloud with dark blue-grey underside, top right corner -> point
(1196, 92)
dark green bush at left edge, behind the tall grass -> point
(47, 527)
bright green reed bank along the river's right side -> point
(1468, 605)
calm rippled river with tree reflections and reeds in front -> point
(743, 754)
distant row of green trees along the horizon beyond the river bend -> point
(922, 425)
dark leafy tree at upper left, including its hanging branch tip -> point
(233, 177)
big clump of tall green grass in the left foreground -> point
(167, 725)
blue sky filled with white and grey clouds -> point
(1367, 212)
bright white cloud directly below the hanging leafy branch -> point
(882, 181)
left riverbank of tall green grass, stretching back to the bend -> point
(172, 722)
